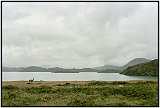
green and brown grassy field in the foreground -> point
(80, 93)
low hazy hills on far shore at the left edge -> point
(11, 69)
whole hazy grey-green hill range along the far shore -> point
(101, 69)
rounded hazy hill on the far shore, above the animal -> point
(34, 69)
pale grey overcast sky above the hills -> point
(76, 35)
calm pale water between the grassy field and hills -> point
(82, 76)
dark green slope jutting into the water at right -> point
(143, 69)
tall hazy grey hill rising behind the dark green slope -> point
(134, 62)
